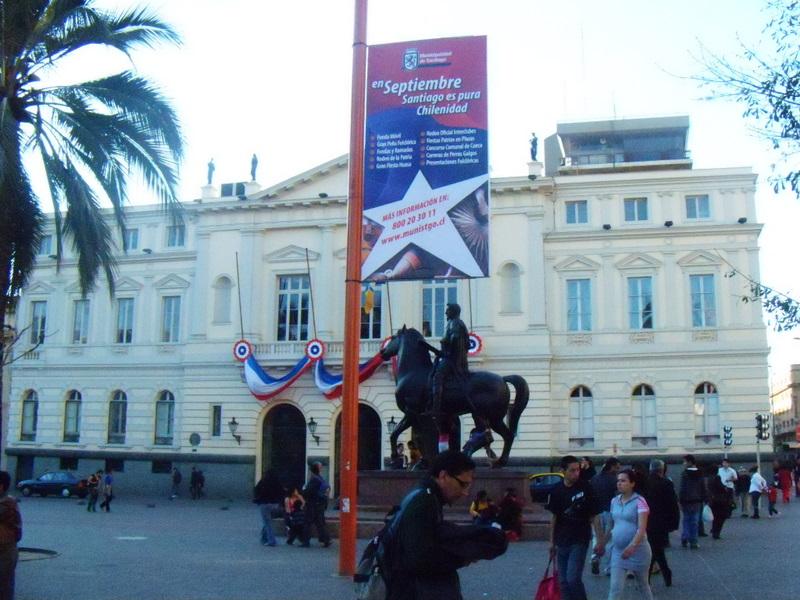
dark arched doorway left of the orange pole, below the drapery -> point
(283, 444)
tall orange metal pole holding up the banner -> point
(348, 513)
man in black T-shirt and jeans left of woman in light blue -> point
(575, 511)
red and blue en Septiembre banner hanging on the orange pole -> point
(426, 180)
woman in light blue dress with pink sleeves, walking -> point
(630, 550)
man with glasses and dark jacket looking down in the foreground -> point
(422, 565)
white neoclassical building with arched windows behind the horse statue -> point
(608, 294)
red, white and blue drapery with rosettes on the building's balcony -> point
(265, 387)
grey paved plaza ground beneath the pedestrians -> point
(156, 549)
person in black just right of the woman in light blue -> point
(664, 516)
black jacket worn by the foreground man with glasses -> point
(422, 567)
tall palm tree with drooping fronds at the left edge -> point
(88, 136)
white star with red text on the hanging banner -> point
(441, 240)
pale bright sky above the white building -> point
(273, 78)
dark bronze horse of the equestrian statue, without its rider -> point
(488, 392)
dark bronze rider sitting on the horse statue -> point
(451, 363)
